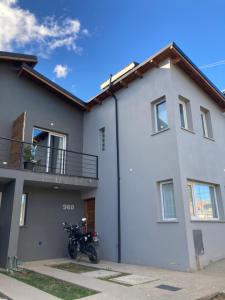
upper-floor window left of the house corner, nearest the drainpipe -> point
(161, 121)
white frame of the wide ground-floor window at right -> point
(195, 218)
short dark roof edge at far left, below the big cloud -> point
(30, 60)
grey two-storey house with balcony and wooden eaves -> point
(143, 160)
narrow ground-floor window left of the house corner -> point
(167, 199)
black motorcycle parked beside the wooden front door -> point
(82, 242)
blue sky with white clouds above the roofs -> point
(79, 43)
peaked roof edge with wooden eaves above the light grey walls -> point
(177, 56)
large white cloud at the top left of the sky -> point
(19, 28)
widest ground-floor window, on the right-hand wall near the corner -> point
(202, 201)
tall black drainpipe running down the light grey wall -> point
(118, 168)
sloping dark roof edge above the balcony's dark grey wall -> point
(41, 79)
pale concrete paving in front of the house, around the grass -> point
(193, 285)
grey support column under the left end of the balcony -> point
(9, 221)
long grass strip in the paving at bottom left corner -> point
(56, 287)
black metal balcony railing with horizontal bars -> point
(39, 158)
